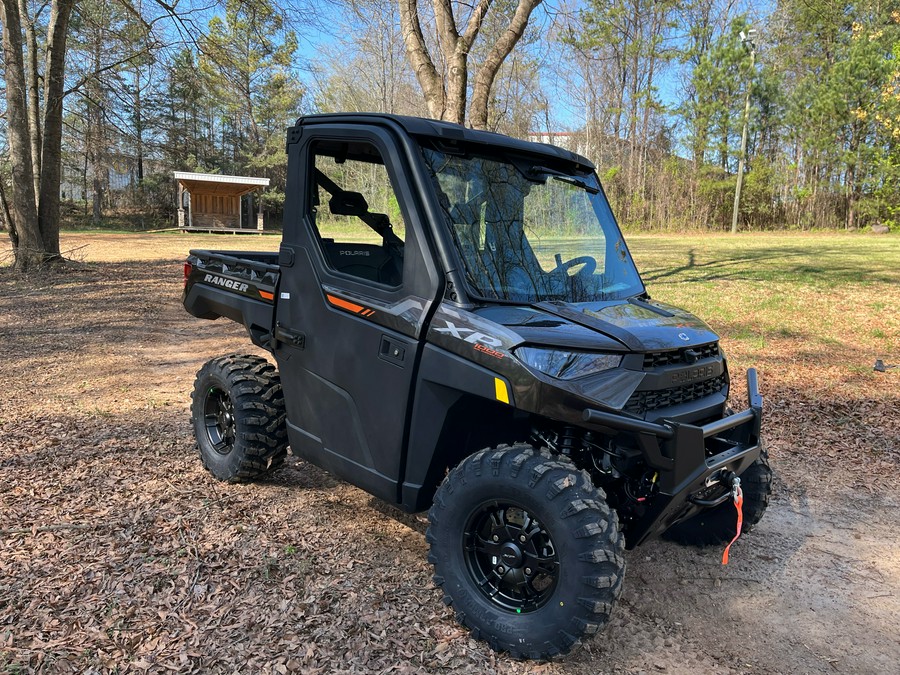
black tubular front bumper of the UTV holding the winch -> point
(689, 458)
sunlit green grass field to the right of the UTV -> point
(829, 288)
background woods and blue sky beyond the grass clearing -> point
(653, 91)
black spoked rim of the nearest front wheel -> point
(511, 557)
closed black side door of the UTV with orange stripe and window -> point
(356, 283)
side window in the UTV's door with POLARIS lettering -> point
(357, 217)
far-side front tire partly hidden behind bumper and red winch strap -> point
(718, 525)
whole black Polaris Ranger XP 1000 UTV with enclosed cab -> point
(458, 326)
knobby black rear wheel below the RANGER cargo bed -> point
(237, 409)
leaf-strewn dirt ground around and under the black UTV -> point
(119, 553)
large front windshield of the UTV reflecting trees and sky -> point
(528, 233)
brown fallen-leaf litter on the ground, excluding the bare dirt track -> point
(119, 553)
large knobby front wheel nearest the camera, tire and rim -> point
(526, 550)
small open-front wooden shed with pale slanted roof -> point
(208, 201)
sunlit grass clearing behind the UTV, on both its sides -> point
(822, 291)
